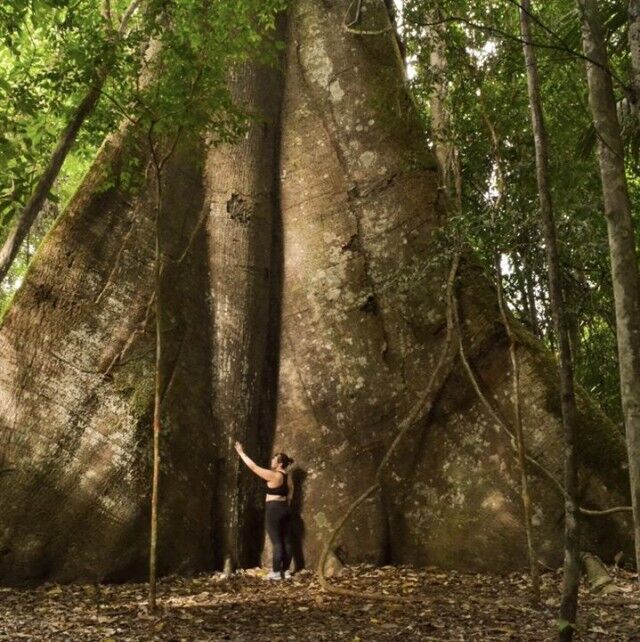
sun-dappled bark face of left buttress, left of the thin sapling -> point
(75, 312)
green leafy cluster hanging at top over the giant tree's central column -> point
(199, 43)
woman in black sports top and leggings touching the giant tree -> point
(277, 511)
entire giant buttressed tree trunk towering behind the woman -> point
(362, 324)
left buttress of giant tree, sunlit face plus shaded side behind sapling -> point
(76, 384)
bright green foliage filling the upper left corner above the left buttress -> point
(51, 52)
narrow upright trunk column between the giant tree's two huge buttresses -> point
(241, 179)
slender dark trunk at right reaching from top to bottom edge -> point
(571, 578)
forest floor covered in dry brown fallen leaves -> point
(450, 606)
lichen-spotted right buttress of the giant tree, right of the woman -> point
(363, 319)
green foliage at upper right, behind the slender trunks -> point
(486, 83)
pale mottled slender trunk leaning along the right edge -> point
(622, 247)
